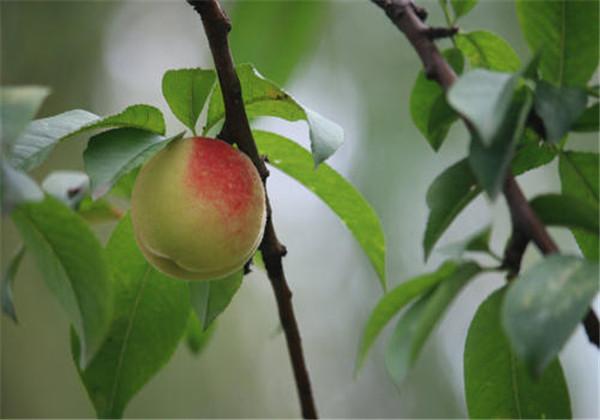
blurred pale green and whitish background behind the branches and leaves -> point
(345, 60)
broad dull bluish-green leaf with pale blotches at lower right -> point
(544, 305)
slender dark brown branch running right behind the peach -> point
(236, 129)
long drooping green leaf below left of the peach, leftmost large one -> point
(73, 264)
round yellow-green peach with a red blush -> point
(198, 209)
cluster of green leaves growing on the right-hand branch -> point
(519, 118)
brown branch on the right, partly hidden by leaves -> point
(409, 19)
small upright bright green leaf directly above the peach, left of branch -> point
(186, 91)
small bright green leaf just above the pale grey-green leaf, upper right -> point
(487, 50)
